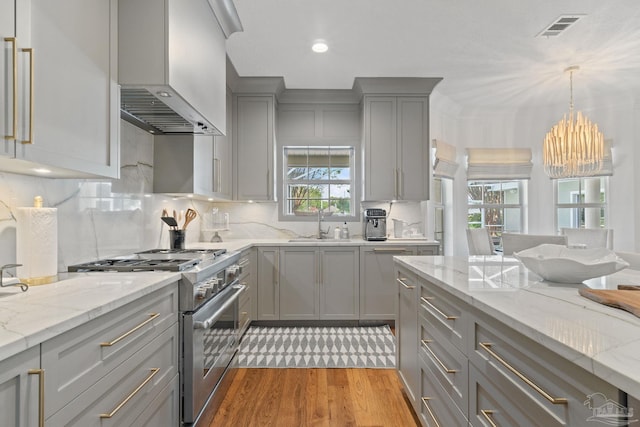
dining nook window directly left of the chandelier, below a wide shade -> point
(497, 205)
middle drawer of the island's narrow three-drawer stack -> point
(449, 366)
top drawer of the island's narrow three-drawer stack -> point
(446, 314)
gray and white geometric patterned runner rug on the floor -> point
(318, 347)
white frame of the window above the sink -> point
(351, 182)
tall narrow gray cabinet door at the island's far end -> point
(407, 333)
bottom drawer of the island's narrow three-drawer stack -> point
(436, 407)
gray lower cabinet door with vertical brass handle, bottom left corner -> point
(19, 396)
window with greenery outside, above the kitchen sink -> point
(319, 178)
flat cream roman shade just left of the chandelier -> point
(498, 163)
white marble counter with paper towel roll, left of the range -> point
(42, 312)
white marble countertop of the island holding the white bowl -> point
(603, 340)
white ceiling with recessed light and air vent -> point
(486, 51)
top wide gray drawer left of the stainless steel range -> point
(77, 359)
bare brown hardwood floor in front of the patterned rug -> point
(315, 397)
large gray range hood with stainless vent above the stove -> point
(172, 64)
